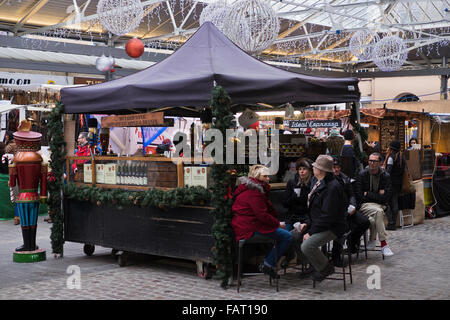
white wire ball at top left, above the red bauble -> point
(120, 16)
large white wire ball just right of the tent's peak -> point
(253, 25)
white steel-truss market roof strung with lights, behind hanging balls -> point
(314, 34)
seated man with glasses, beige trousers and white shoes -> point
(373, 191)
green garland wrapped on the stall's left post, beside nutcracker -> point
(57, 158)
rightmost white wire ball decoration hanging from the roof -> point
(390, 53)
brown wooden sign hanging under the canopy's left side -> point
(151, 119)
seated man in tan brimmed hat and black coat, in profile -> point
(326, 221)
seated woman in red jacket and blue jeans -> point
(253, 214)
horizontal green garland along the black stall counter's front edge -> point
(196, 196)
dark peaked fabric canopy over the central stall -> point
(187, 77)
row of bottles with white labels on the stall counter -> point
(132, 173)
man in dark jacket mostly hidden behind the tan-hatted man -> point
(357, 222)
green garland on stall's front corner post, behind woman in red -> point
(222, 230)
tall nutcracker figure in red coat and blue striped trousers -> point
(29, 172)
